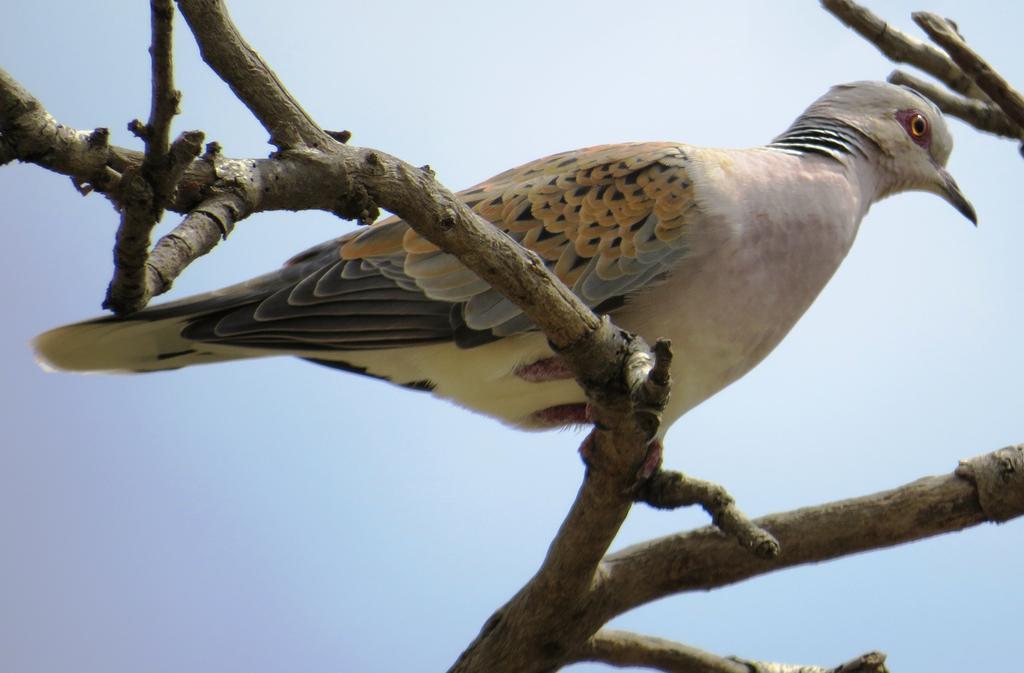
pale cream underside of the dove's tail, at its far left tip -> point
(125, 346)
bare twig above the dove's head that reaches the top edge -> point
(903, 49)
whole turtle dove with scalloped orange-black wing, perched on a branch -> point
(720, 250)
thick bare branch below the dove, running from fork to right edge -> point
(989, 488)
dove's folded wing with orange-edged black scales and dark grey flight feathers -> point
(607, 221)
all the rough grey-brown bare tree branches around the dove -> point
(558, 617)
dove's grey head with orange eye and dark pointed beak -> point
(909, 134)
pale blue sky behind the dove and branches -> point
(272, 517)
